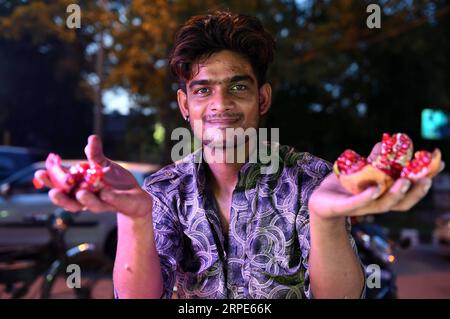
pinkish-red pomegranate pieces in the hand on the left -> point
(83, 175)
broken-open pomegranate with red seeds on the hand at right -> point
(356, 173)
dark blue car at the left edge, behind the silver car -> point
(13, 159)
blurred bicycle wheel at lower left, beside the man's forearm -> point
(87, 275)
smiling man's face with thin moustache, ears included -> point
(223, 94)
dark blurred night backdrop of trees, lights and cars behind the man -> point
(337, 84)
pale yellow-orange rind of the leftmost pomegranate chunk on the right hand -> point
(368, 176)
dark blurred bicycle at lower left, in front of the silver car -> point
(43, 270)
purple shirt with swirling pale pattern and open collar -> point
(265, 254)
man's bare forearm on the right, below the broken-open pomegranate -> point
(335, 271)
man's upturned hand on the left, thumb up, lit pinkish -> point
(122, 194)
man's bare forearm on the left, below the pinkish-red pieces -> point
(137, 271)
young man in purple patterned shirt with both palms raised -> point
(224, 229)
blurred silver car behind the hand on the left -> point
(20, 201)
